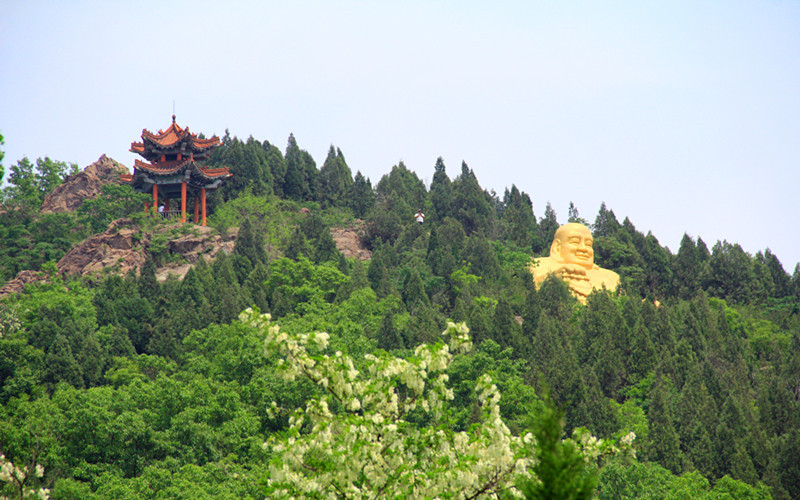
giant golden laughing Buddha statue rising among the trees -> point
(572, 260)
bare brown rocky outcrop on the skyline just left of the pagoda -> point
(83, 185)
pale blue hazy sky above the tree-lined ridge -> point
(682, 116)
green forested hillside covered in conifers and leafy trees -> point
(121, 386)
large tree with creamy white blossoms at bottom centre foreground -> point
(386, 432)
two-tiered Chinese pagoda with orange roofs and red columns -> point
(172, 170)
